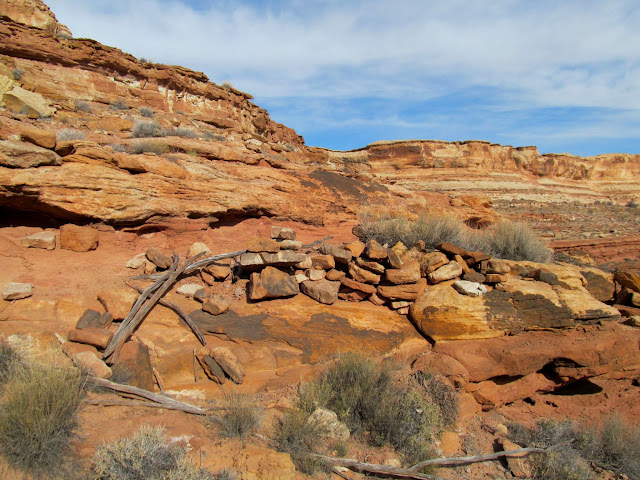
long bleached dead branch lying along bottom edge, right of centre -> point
(412, 472)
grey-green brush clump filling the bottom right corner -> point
(615, 447)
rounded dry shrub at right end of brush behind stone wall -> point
(515, 241)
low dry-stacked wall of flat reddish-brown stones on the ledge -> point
(393, 276)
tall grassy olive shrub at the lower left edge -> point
(38, 415)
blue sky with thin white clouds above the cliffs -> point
(564, 76)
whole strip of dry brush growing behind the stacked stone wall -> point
(508, 240)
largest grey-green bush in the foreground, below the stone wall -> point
(376, 403)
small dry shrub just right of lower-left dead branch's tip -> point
(241, 416)
